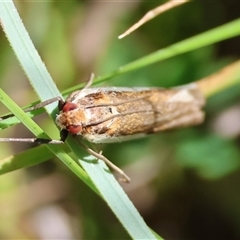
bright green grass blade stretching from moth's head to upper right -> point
(215, 35)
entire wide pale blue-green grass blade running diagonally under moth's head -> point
(43, 84)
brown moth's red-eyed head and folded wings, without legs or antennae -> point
(103, 115)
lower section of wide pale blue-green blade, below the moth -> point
(114, 195)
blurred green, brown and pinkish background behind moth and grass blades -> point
(185, 183)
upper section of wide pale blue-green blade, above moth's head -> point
(26, 53)
